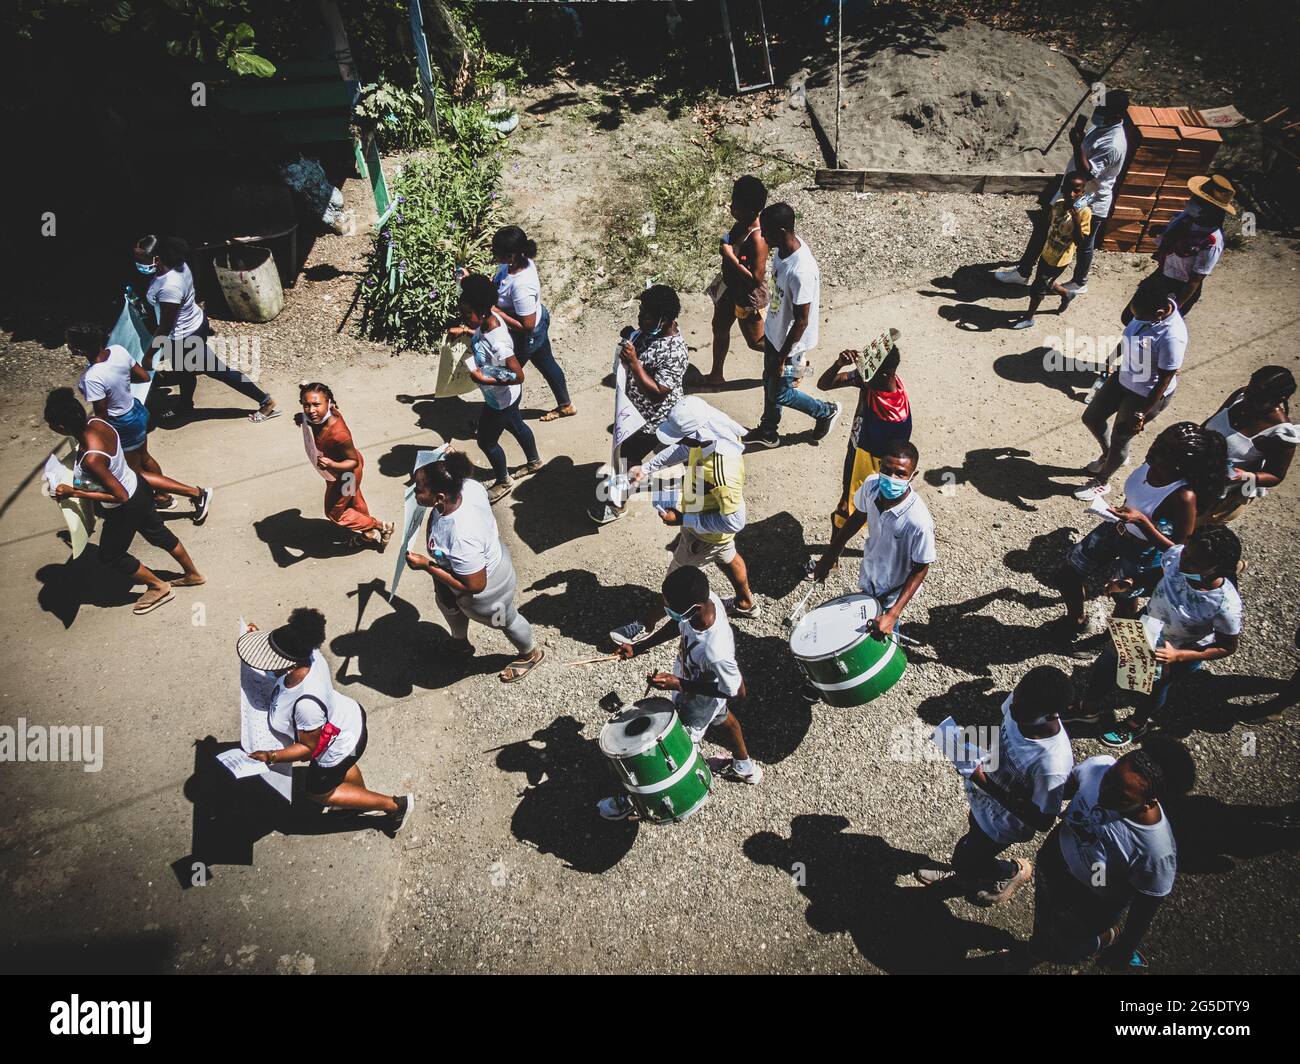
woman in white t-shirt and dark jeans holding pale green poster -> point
(495, 366)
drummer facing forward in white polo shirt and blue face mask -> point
(900, 544)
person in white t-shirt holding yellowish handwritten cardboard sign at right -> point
(1201, 612)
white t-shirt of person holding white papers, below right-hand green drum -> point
(1034, 769)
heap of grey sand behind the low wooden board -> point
(931, 93)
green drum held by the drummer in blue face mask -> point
(840, 656)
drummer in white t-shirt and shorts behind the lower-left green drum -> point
(705, 676)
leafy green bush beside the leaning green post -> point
(445, 211)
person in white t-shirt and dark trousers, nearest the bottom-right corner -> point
(1113, 853)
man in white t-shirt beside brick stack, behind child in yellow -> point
(1099, 152)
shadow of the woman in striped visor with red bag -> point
(232, 816)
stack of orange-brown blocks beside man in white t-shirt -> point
(1167, 146)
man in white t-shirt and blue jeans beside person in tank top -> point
(791, 332)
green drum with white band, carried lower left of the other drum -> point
(656, 762)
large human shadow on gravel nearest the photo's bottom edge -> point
(850, 881)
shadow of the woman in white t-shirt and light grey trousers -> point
(401, 651)
